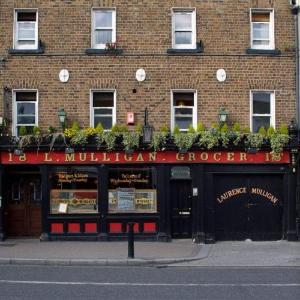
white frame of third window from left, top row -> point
(192, 12)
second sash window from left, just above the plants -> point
(103, 108)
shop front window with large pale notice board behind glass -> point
(132, 190)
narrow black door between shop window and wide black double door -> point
(181, 202)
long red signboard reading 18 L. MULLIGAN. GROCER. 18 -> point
(219, 157)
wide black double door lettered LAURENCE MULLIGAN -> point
(248, 206)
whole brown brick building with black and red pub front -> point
(105, 62)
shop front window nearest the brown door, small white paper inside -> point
(73, 190)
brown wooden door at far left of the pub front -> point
(23, 209)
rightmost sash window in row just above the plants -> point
(262, 110)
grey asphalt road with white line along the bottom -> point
(48, 282)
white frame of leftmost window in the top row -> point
(16, 44)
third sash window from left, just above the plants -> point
(184, 109)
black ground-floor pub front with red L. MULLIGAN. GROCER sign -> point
(203, 195)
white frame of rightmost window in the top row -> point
(271, 45)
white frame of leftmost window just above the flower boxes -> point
(14, 109)
